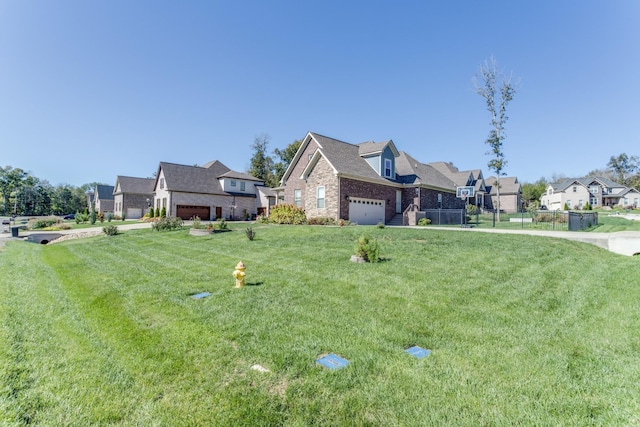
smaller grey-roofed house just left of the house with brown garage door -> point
(132, 197)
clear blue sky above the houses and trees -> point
(94, 89)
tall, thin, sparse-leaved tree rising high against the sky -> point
(497, 90)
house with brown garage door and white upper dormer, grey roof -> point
(211, 191)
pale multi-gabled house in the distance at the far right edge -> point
(597, 191)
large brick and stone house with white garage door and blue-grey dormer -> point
(365, 183)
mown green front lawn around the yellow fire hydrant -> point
(523, 330)
